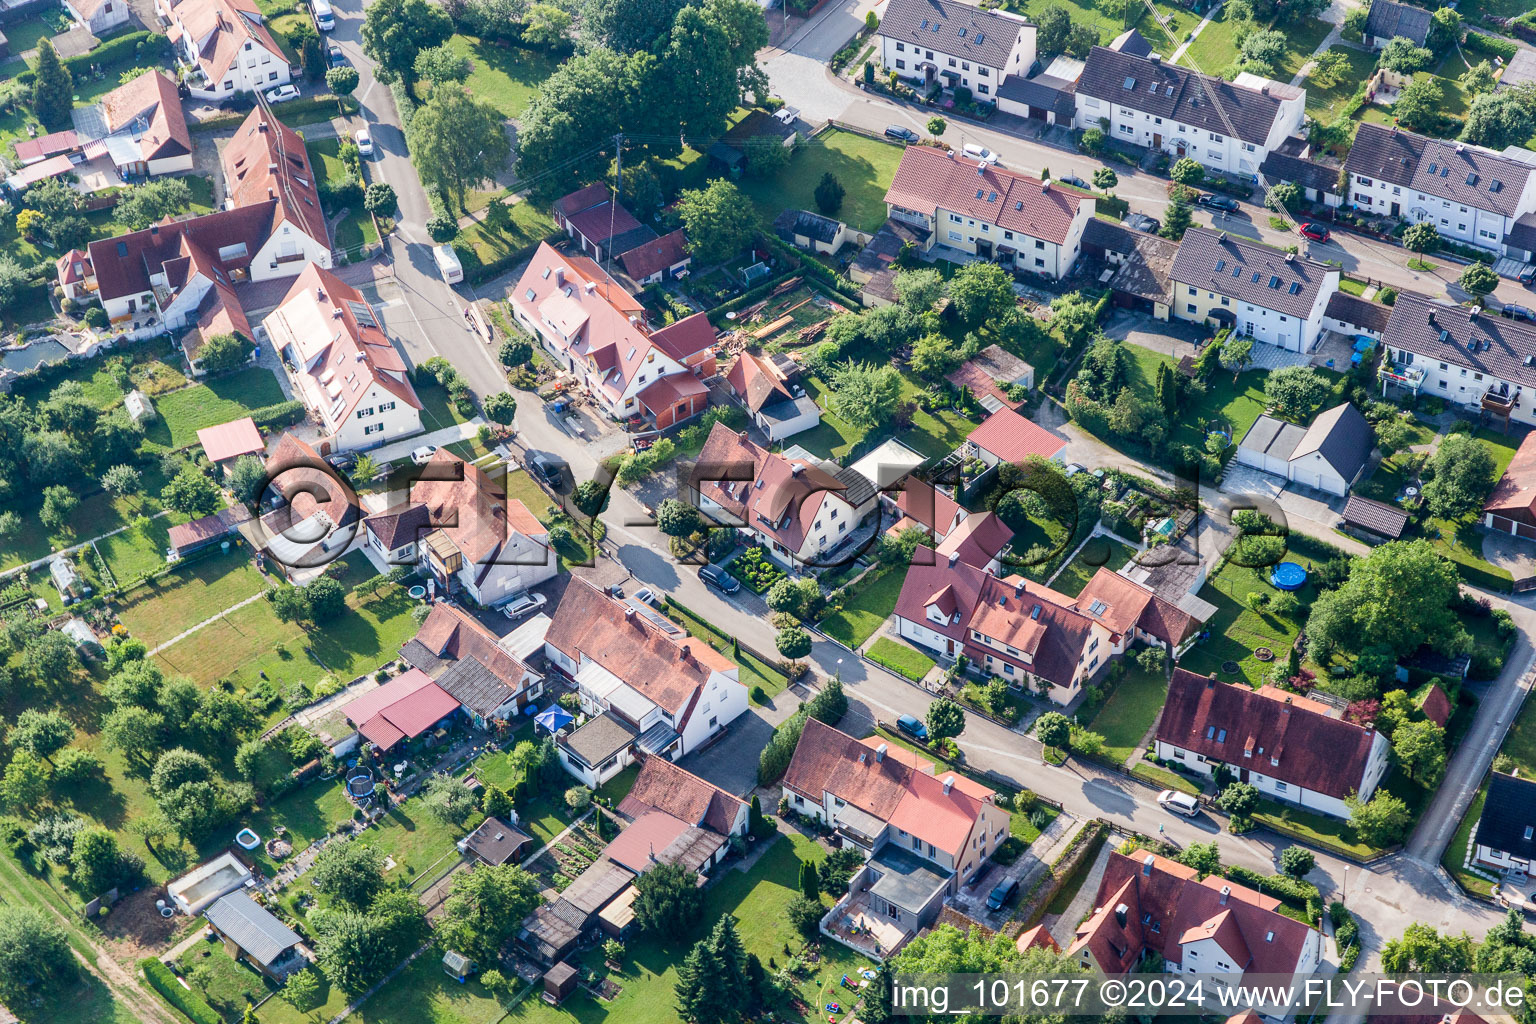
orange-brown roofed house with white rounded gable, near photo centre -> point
(795, 509)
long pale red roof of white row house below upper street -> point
(930, 179)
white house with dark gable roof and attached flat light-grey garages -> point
(1329, 455)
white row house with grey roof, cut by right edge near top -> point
(1472, 196)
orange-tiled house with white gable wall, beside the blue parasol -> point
(670, 696)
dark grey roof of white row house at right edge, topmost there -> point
(1448, 171)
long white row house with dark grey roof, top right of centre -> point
(1228, 127)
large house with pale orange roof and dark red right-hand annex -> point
(597, 329)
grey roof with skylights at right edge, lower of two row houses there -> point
(1446, 334)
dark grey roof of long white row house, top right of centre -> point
(1182, 94)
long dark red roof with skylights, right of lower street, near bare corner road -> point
(1285, 741)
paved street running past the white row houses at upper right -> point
(799, 74)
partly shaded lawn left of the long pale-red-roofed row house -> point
(862, 165)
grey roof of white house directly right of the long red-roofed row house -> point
(1250, 273)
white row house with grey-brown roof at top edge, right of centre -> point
(955, 45)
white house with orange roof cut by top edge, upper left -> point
(228, 44)
